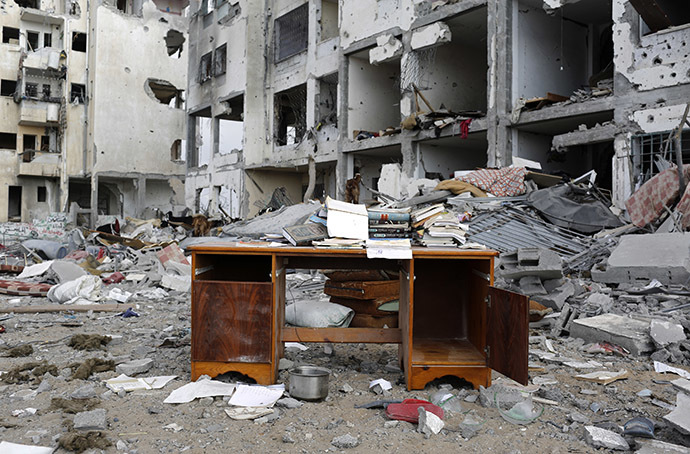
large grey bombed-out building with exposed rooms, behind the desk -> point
(301, 96)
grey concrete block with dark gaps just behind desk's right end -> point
(539, 262)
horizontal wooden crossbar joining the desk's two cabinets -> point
(343, 335)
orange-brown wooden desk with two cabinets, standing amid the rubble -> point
(451, 320)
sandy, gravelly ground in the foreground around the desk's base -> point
(136, 420)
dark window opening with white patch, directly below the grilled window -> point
(291, 115)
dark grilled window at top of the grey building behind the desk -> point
(291, 33)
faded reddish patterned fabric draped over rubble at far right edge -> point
(648, 202)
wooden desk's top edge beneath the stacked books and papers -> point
(260, 248)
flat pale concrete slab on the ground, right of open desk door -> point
(629, 333)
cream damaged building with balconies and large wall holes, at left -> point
(92, 106)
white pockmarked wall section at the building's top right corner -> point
(653, 61)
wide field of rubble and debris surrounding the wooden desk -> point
(95, 329)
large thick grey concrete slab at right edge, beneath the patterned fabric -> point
(641, 258)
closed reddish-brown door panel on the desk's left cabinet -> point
(231, 321)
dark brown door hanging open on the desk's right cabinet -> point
(507, 333)
